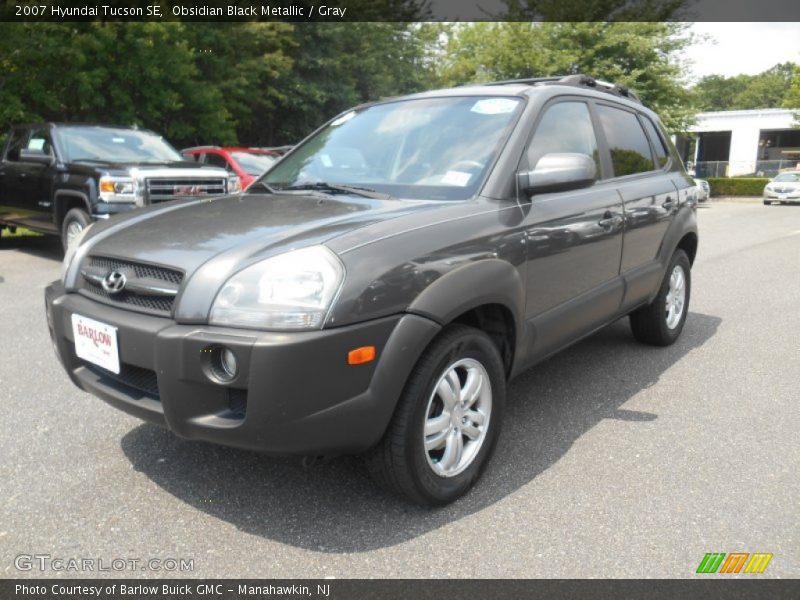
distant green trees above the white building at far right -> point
(770, 89)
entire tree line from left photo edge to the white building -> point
(274, 82)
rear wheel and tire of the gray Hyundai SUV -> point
(654, 324)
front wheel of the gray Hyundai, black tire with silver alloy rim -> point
(401, 463)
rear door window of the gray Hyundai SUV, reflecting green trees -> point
(630, 150)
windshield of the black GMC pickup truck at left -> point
(108, 144)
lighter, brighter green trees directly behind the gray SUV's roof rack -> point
(642, 56)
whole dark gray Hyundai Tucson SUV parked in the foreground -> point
(377, 288)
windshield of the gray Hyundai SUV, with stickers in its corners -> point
(432, 148)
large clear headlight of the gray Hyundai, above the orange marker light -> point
(287, 292)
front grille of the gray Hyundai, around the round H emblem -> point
(145, 287)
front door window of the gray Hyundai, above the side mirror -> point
(565, 127)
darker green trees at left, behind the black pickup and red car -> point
(223, 83)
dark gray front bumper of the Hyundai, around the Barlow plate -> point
(294, 392)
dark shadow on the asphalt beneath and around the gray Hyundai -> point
(334, 506)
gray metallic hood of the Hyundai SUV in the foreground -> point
(211, 239)
